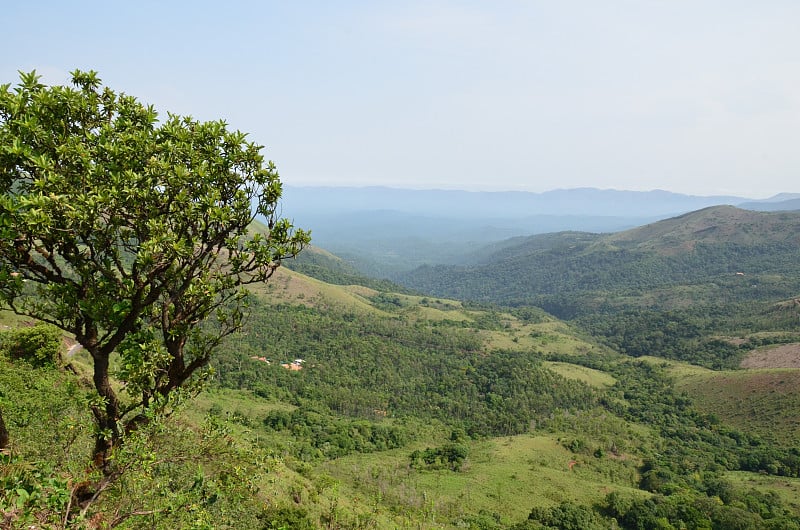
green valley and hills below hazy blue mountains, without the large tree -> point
(631, 380)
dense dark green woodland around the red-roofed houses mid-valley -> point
(373, 366)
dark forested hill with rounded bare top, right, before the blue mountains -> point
(675, 288)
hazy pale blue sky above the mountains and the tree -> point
(694, 96)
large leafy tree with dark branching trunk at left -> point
(132, 234)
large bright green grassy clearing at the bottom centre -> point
(506, 476)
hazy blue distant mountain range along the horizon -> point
(385, 231)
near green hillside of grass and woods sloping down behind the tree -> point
(408, 412)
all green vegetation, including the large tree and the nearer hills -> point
(343, 402)
